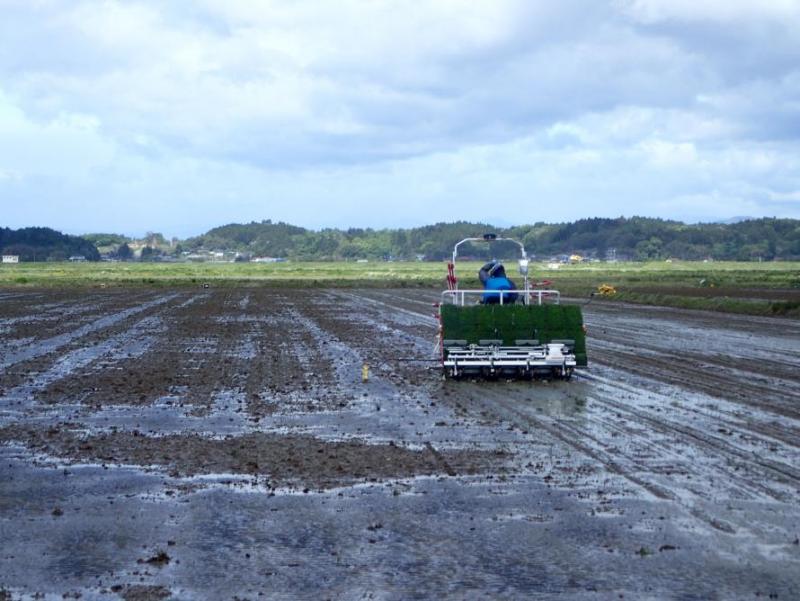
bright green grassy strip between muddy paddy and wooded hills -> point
(751, 288)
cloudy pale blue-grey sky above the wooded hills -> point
(178, 116)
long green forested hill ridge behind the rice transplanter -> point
(625, 238)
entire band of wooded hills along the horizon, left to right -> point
(635, 238)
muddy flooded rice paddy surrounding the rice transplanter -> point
(221, 444)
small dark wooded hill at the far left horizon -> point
(44, 244)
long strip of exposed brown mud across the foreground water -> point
(284, 460)
